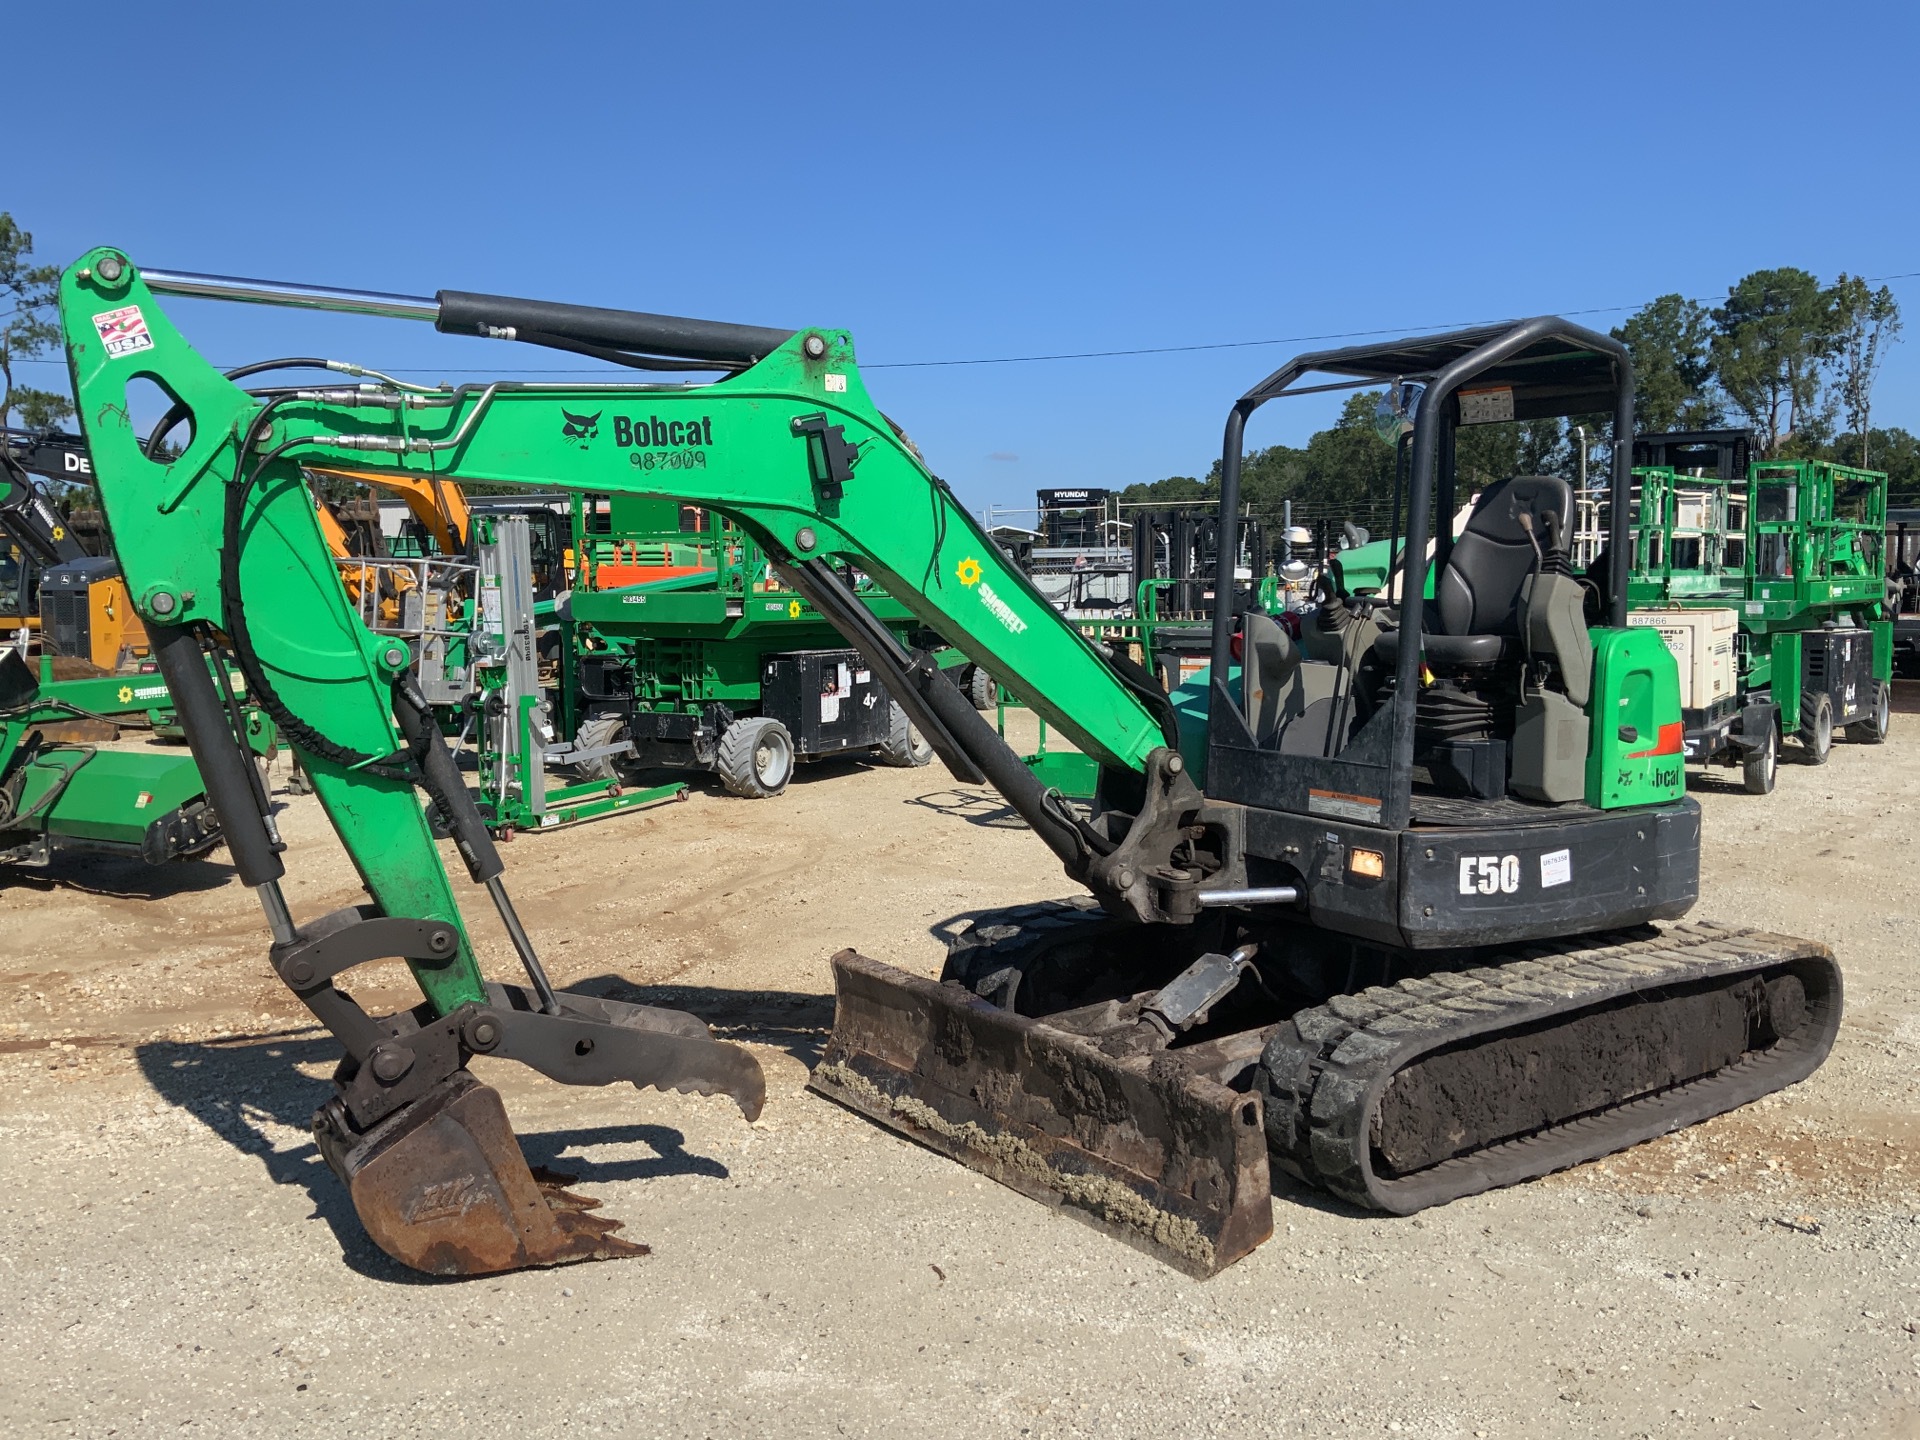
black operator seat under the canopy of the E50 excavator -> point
(1476, 613)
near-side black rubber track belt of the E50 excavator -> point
(1328, 1068)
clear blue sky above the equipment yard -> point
(980, 181)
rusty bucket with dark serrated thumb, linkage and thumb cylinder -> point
(425, 1151)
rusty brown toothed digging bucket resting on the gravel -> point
(443, 1188)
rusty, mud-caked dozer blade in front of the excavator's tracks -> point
(1166, 1161)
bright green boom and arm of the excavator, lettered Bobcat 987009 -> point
(792, 446)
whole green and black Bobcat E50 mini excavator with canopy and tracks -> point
(1374, 903)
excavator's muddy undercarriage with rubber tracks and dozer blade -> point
(1143, 1082)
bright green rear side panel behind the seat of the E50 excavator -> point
(1639, 744)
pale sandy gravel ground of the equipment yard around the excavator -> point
(178, 1260)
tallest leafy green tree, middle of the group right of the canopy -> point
(1771, 345)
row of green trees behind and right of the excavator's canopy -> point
(1785, 356)
